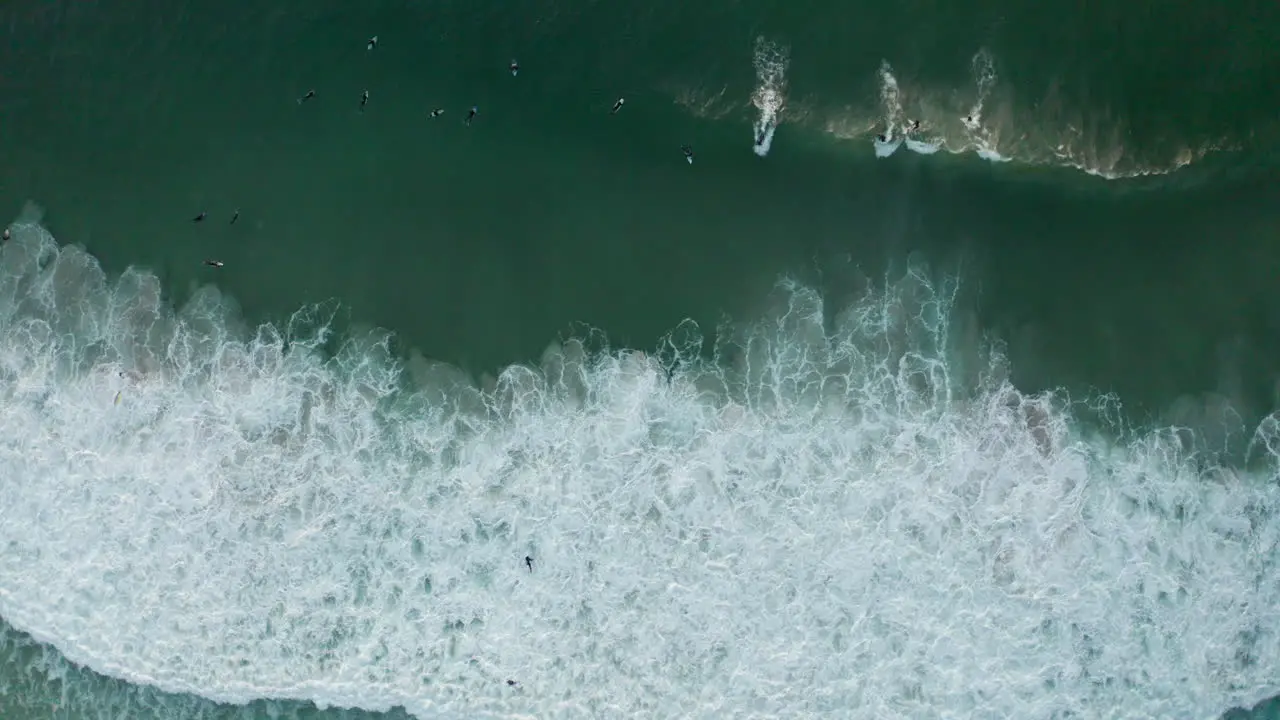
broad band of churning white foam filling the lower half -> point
(824, 521)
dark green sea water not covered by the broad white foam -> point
(481, 245)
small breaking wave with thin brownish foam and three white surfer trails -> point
(982, 119)
